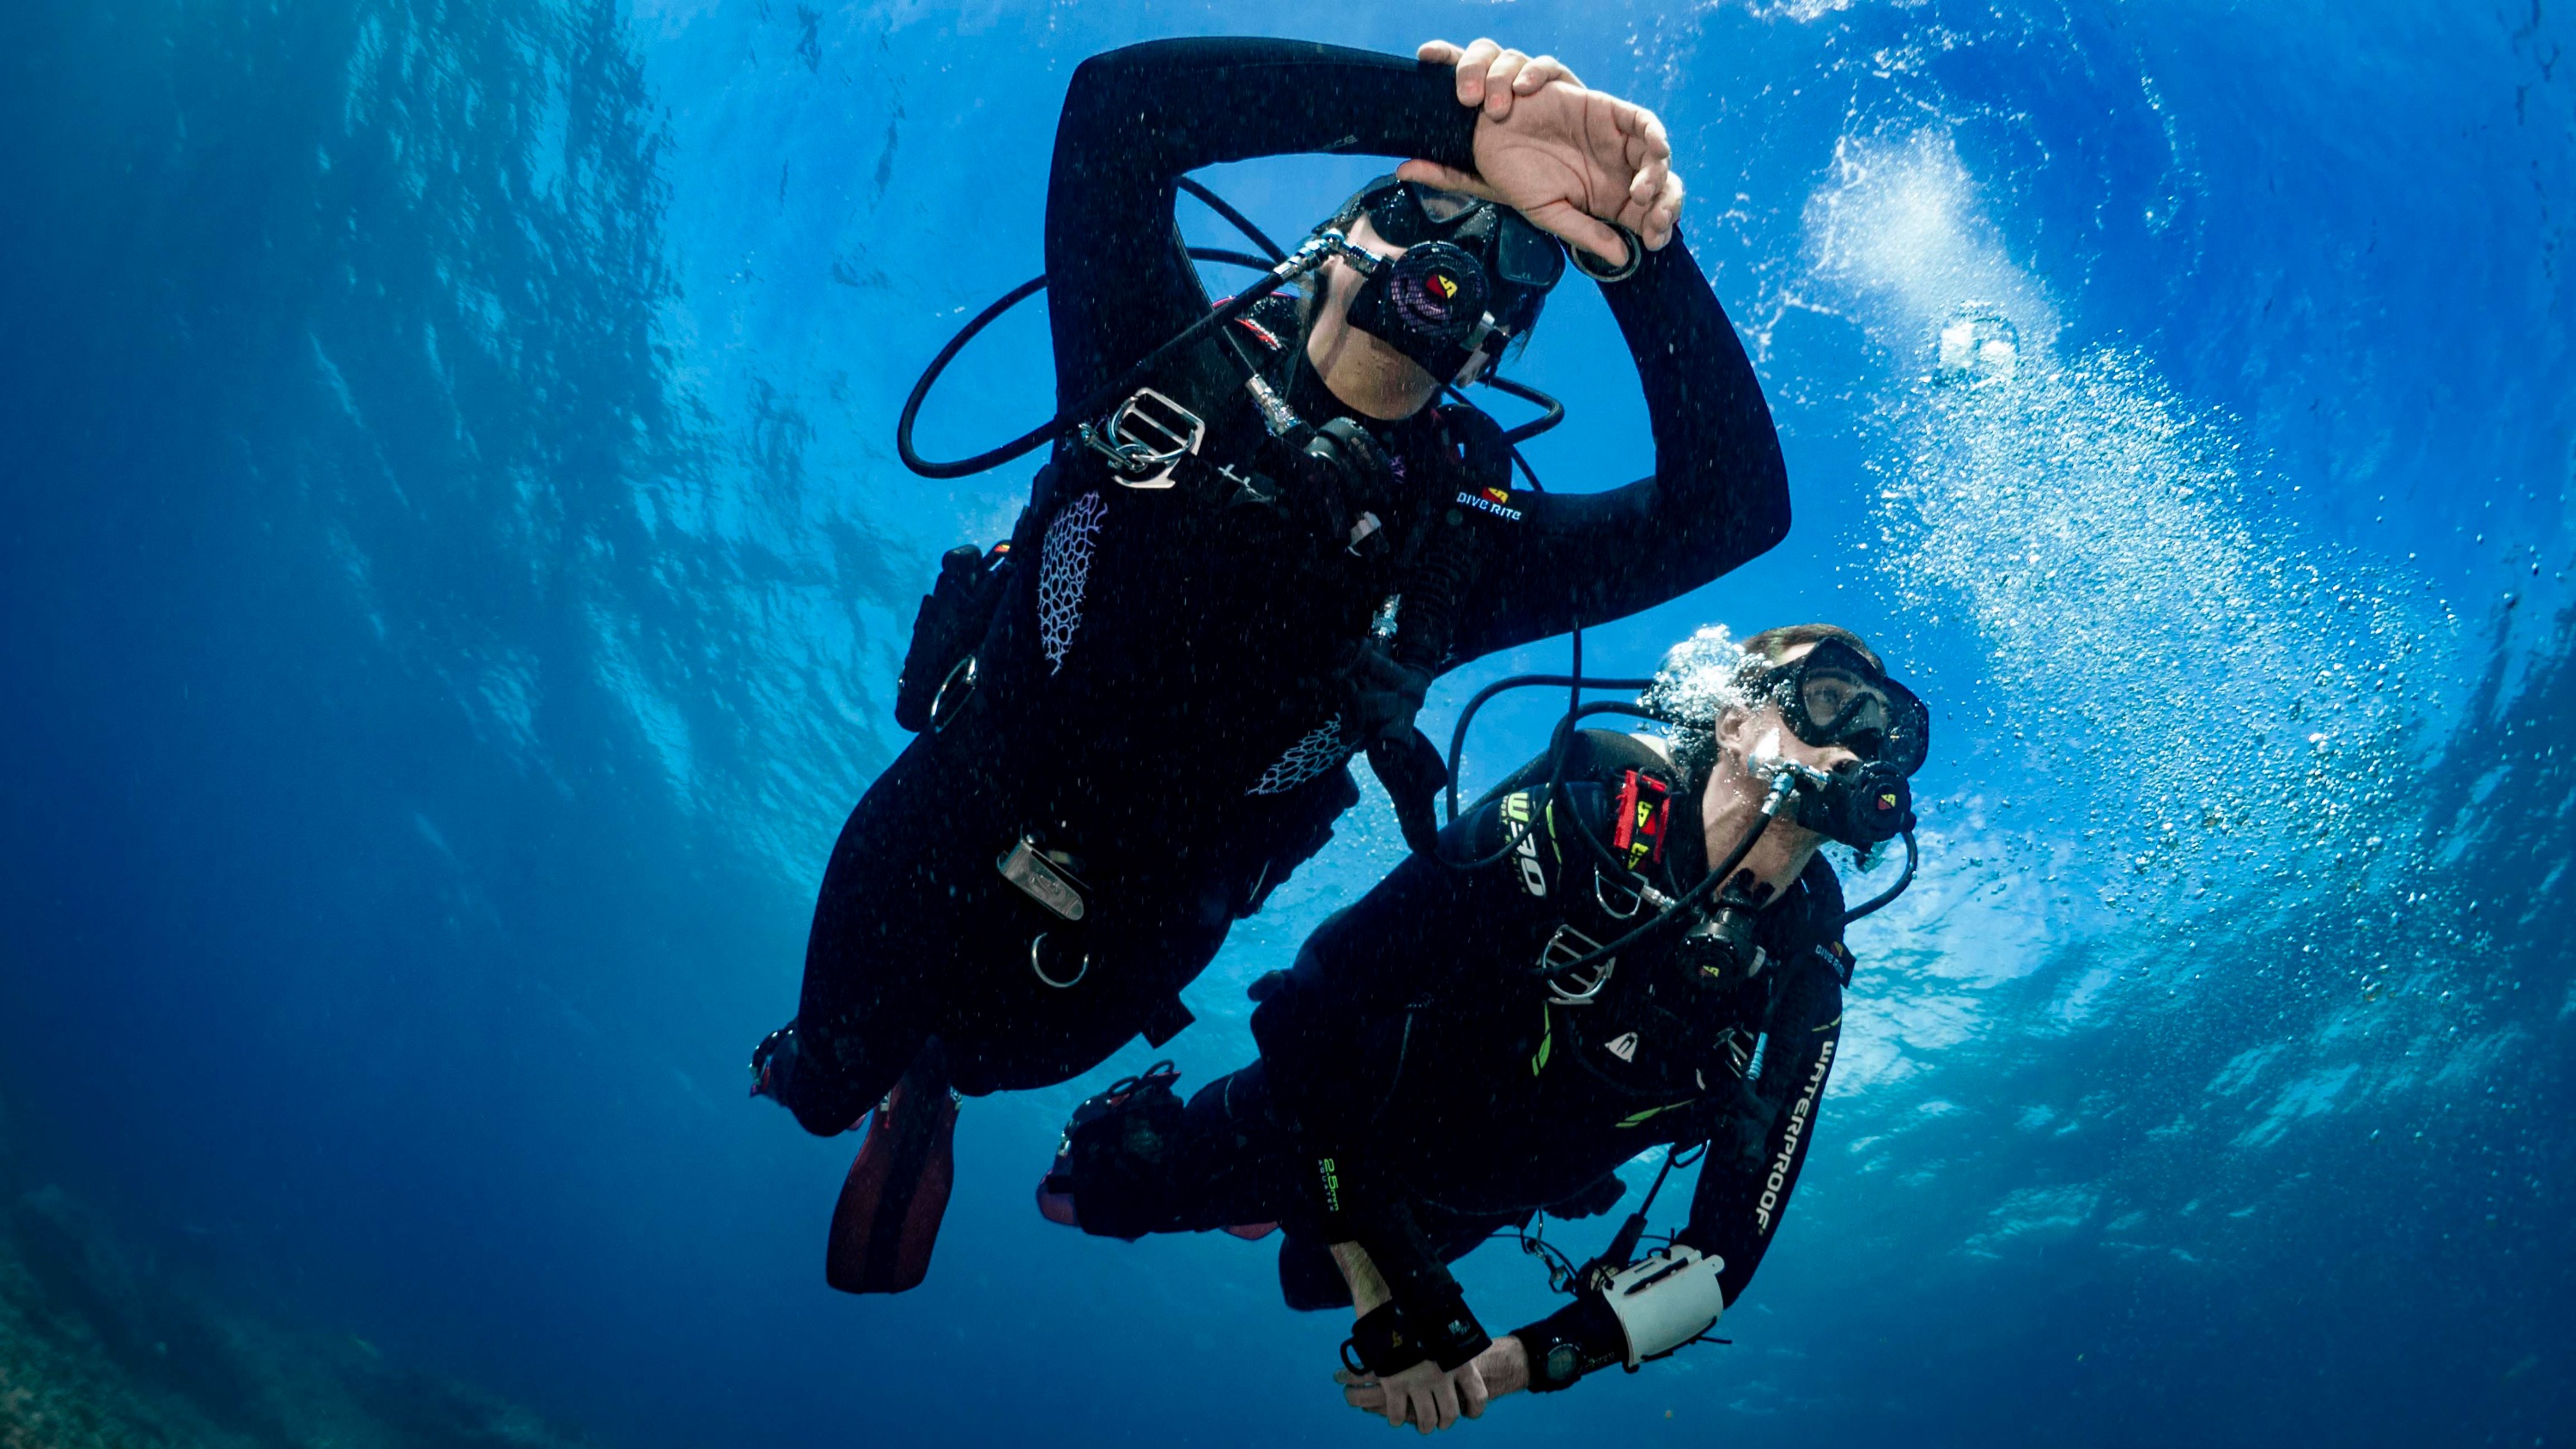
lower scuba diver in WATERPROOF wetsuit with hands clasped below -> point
(1462, 1051)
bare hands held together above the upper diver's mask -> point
(1562, 156)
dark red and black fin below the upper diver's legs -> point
(898, 1190)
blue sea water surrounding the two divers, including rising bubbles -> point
(455, 569)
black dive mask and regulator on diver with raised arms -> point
(1472, 277)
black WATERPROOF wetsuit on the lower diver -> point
(1421, 1051)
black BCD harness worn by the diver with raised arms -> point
(1336, 486)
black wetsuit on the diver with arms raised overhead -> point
(1155, 695)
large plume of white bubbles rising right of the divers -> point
(2196, 697)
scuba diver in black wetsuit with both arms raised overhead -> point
(1240, 569)
